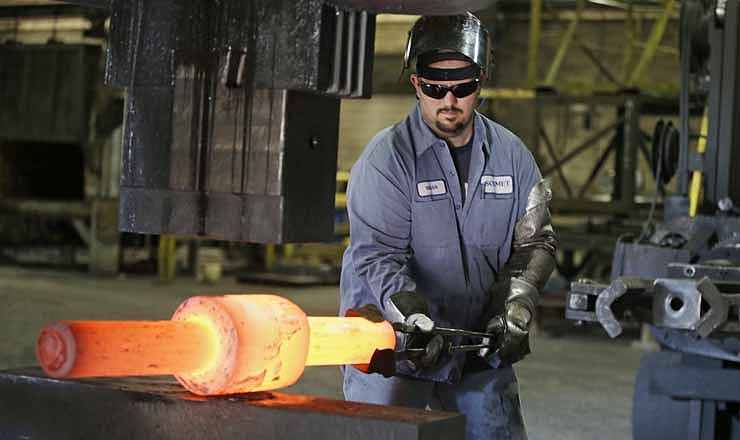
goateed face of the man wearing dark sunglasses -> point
(448, 116)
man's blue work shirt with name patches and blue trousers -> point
(411, 231)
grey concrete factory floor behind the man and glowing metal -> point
(578, 386)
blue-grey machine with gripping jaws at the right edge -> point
(682, 276)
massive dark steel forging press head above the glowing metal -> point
(224, 138)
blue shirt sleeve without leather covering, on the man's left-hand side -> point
(379, 210)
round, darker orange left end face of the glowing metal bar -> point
(56, 349)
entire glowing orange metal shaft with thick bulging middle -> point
(213, 345)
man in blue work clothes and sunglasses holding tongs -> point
(449, 227)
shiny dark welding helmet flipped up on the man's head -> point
(440, 37)
